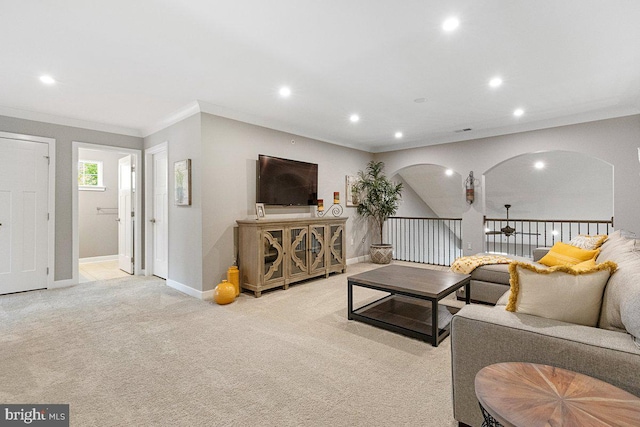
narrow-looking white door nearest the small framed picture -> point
(159, 220)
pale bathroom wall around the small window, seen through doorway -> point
(98, 230)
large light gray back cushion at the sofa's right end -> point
(623, 284)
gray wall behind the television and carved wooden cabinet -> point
(230, 151)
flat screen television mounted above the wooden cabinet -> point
(286, 182)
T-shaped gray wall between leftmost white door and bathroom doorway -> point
(65, 172)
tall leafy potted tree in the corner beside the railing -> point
(378, 197)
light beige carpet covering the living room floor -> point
(133, 351)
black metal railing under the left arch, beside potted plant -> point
(435, 241)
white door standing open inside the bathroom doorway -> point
(125, 215)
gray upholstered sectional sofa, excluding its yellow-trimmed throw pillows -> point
(482, 335)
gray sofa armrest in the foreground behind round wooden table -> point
(481, 336)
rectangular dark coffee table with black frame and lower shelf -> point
(411, 308)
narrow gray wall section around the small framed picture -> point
(185, 222)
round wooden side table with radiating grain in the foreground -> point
(528, 395)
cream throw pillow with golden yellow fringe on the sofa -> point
(562, 292)
